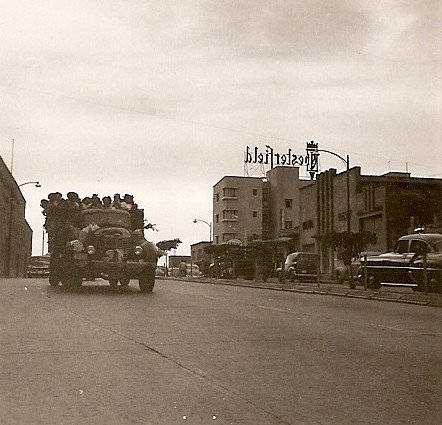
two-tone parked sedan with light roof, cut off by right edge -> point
(405, 265)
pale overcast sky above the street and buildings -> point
(160, 98)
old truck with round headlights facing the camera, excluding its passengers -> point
(103, 243)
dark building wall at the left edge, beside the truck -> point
(15, 232)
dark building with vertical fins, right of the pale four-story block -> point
(390, 205)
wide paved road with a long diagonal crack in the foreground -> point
(202, 354)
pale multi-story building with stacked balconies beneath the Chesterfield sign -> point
(251, 208)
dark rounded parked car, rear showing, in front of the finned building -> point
(300, 266)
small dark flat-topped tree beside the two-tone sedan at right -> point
(350, 244)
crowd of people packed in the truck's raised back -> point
(62, 215)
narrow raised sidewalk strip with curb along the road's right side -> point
(391, 294)
